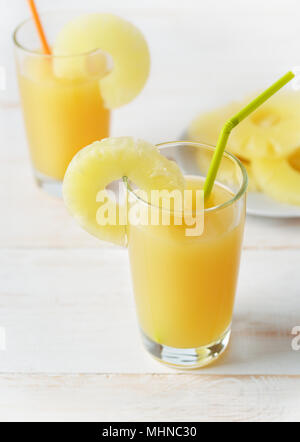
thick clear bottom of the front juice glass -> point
(187, 358)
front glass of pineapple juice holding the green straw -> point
(185, 285)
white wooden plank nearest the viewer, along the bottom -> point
(149, 398)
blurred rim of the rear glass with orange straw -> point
(19, 45)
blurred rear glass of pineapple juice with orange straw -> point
(61, 115)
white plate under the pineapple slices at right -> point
(259, 204)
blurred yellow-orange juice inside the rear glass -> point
(61, 115)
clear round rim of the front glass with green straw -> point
(237, 195)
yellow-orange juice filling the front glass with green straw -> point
(185, 286)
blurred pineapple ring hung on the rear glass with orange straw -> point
(114, 36)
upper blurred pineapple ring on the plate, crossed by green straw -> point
(272, 131)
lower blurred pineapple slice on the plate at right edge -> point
(278, 179)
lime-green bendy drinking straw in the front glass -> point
(232, 123)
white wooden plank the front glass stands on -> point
(72, 311)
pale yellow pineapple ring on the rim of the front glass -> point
(103, 162)
